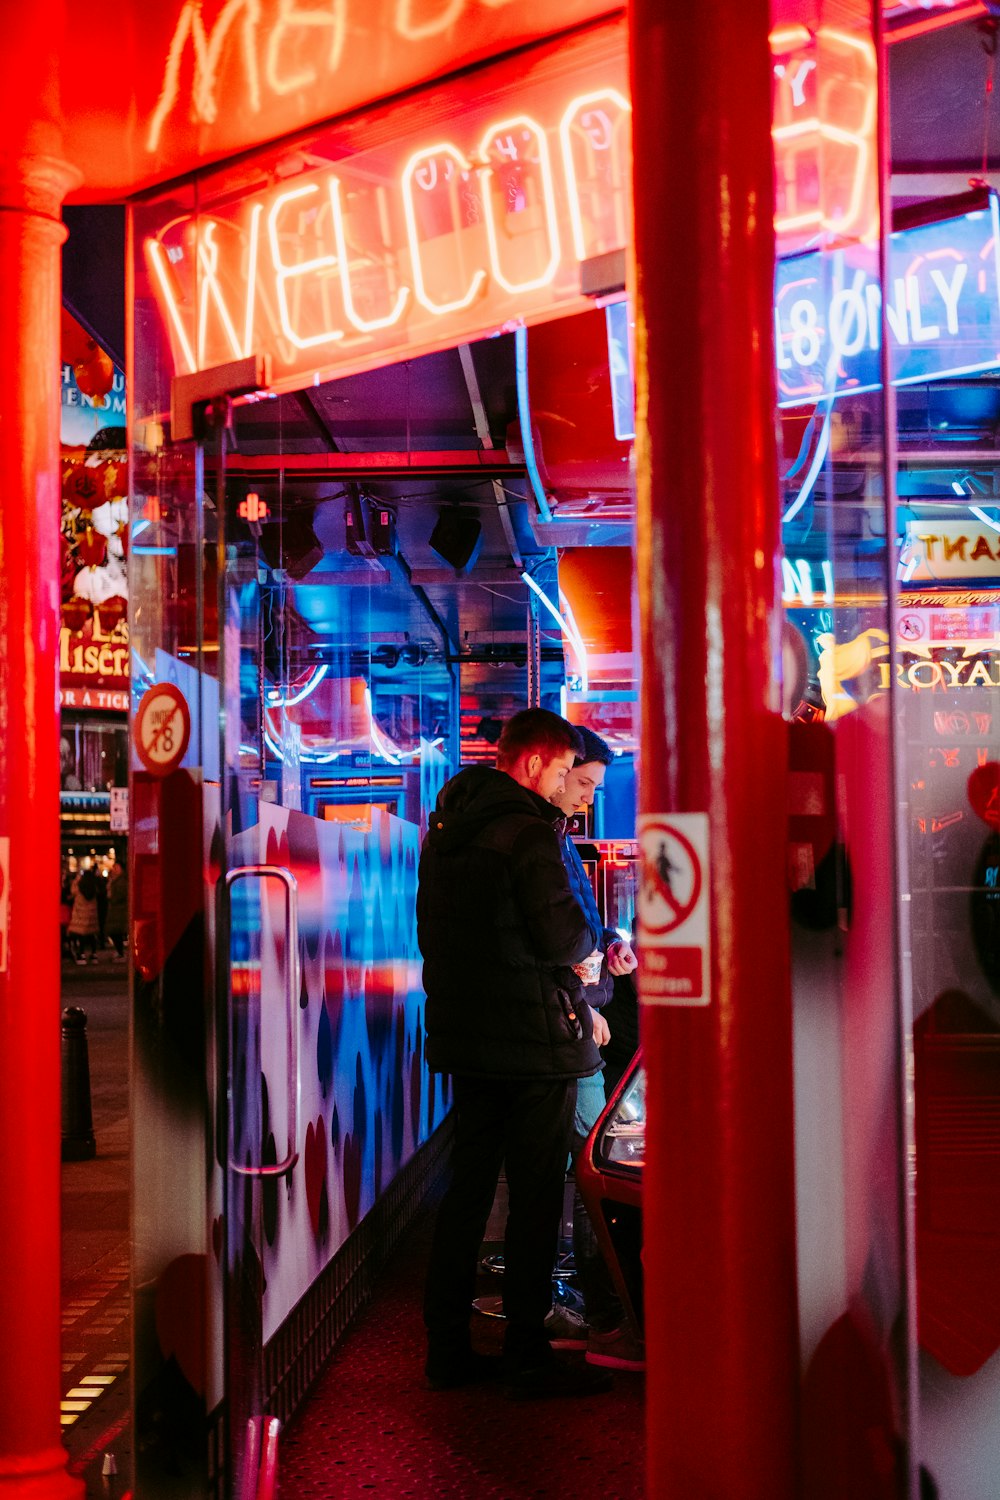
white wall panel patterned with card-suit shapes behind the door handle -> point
(367, 1099)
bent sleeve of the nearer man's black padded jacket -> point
(558, 931)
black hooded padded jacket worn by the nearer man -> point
(500, 929)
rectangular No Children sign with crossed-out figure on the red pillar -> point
(674, 908)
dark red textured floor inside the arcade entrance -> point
(373, 1427)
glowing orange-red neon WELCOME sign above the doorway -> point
(476, 215)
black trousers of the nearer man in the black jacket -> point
(527, 1126)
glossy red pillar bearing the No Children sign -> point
(719, 1184)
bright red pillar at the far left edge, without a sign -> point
(32, 185)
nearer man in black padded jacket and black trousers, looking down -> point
(500, 932)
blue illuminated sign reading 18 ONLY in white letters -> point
(944, 310)
